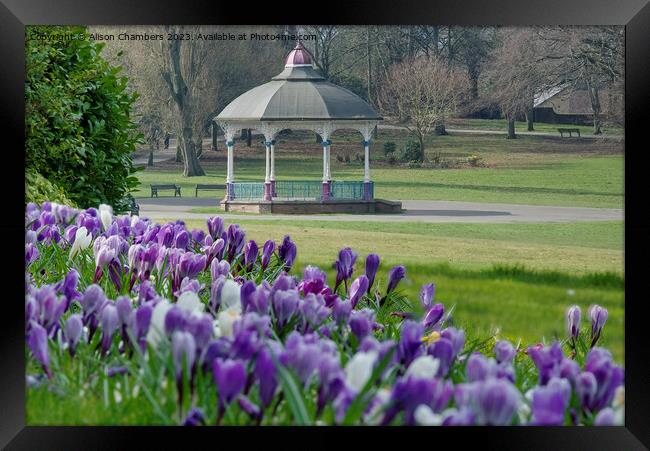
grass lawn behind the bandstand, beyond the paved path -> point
(529, 170)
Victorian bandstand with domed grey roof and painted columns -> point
(299, 98)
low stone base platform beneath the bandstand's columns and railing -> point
(306, 207)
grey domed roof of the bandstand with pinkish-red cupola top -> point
(298, 93)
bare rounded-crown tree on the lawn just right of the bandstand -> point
(422, 93)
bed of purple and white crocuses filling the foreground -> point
(209, 328)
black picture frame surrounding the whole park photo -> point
(634, 14)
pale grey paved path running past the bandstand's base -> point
(416, 210)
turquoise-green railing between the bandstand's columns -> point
(302, 190)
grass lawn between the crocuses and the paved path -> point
(511, 277)
